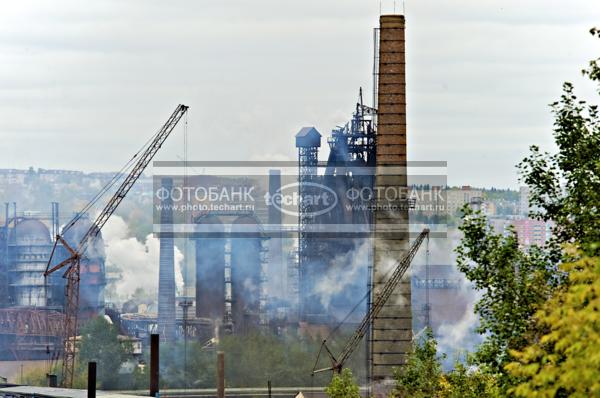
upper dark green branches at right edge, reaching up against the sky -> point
(565, 186)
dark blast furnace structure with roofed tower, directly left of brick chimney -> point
(325, 245)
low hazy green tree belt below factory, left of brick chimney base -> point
(251, 360)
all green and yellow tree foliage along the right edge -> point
(564, 189)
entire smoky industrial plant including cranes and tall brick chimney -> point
(256, 267)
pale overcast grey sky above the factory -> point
(84, 84)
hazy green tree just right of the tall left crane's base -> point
(100, 343)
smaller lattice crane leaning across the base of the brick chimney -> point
(378, 303)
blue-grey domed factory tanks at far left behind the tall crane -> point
(31, 307)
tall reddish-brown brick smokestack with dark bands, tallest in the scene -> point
(392, 328)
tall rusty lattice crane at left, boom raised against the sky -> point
(72, 263)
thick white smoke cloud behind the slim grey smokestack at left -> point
(137, 261)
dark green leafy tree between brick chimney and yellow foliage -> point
(513, 284)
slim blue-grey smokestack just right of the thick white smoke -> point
(166, 277)
